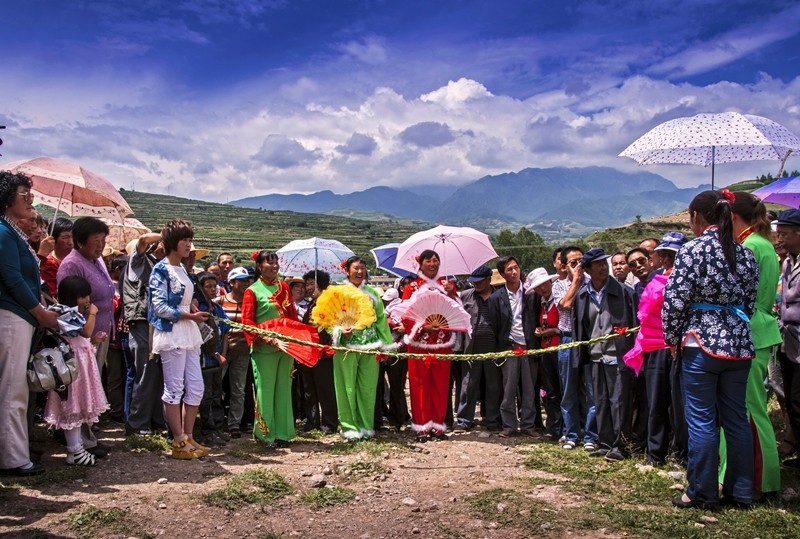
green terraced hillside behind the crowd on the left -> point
(220, 227)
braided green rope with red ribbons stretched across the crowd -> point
(385, 354)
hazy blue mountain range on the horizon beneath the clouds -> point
(576, 200)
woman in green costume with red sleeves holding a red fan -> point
(269, 298)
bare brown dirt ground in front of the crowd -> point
(402, 489)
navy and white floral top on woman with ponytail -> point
(702, 275)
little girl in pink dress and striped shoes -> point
(85, 397)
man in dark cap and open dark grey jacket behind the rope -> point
(602, 307)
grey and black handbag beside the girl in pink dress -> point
(52, 364)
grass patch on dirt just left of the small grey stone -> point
(259, 486)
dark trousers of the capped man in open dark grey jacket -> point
(612, 401)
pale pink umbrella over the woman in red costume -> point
(460, 249)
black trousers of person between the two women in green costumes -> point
(318, 393)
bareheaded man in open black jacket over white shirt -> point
(513, 316)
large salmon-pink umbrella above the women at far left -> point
(72, 189)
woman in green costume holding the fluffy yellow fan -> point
(355, 372)
